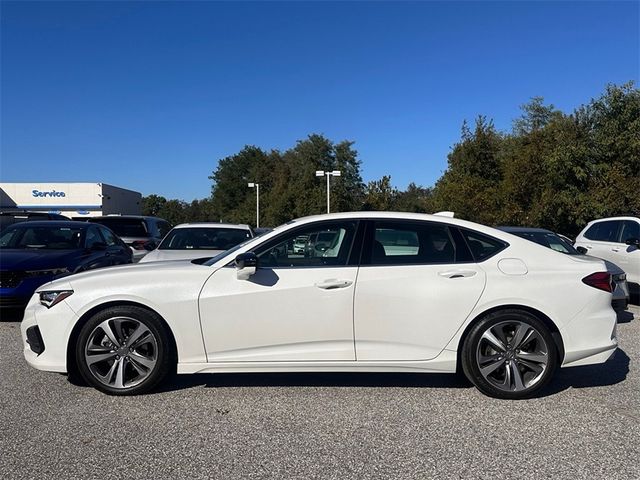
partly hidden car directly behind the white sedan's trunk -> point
(552, 240)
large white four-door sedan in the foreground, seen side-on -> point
(393, 292)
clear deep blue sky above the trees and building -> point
(149, 96)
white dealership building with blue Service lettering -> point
(70, 199)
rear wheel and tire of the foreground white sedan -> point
(509, 354)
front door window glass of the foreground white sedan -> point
(322, 245)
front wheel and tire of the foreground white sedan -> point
(126, 369)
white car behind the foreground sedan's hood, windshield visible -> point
(189, 241)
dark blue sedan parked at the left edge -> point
(34, 253)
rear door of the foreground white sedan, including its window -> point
(416, 286)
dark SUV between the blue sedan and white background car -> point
(141, 233)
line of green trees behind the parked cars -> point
(552, 169)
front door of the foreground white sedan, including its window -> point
(297, 307)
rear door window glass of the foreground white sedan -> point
(411, 243)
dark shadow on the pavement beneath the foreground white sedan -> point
(613, 371)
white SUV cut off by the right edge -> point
(616, 239)
